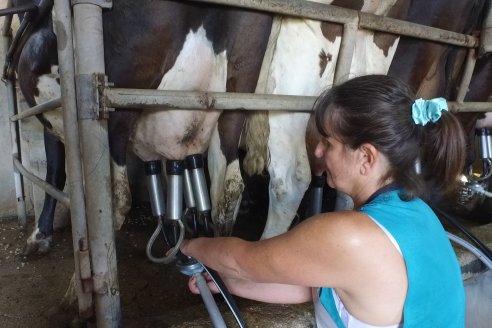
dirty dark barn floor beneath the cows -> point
(152, 295)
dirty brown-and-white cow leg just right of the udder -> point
(223, 162)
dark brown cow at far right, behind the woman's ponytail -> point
(435, 69)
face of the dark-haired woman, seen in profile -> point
(340, 163)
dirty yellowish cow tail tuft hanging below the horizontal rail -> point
(255, 141)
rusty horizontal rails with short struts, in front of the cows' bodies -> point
(352, 21)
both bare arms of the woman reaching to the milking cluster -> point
(344, 250)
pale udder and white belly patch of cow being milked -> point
(174, 134)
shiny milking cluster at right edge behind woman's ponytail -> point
(475, 185)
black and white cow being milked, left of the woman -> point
(164, 45)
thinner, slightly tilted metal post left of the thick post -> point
(63, 29)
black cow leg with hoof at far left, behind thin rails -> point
(41, 237)
